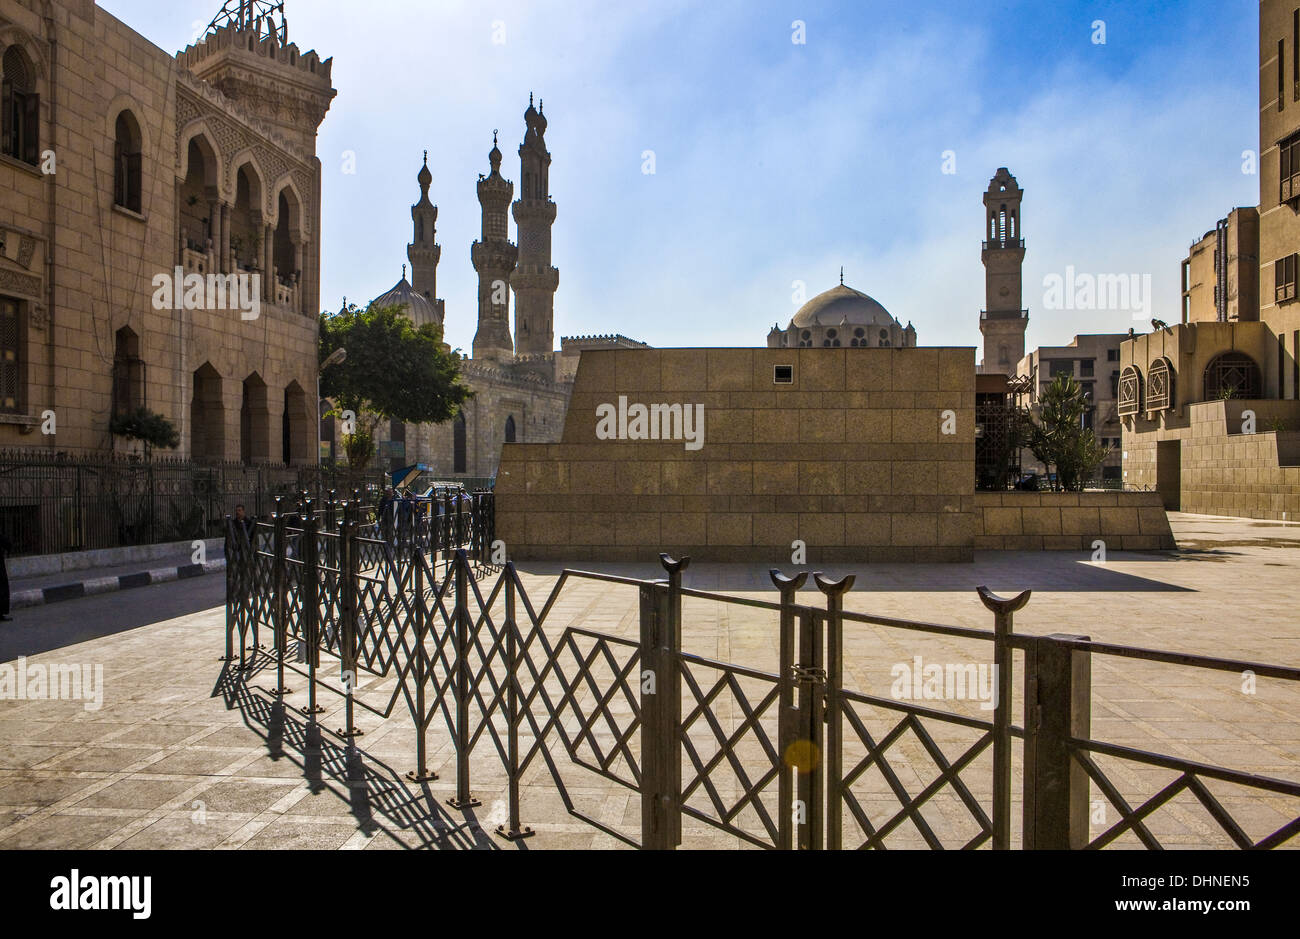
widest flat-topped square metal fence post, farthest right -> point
(1058, 707)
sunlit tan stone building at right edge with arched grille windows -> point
(1212, 405)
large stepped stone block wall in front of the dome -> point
(850, 458)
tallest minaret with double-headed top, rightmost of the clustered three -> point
(535, 280)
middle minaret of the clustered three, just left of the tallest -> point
(495, 259)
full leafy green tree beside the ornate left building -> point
(393, 371)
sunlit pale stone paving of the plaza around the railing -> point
(181, 756)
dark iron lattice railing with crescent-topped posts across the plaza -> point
(779, 758)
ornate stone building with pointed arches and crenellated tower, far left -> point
(124, 167)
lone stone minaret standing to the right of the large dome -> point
(1004, 319)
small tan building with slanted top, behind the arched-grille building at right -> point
(1221, 274)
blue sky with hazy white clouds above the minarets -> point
(775, 162)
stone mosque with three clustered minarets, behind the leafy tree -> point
(522, 386)
